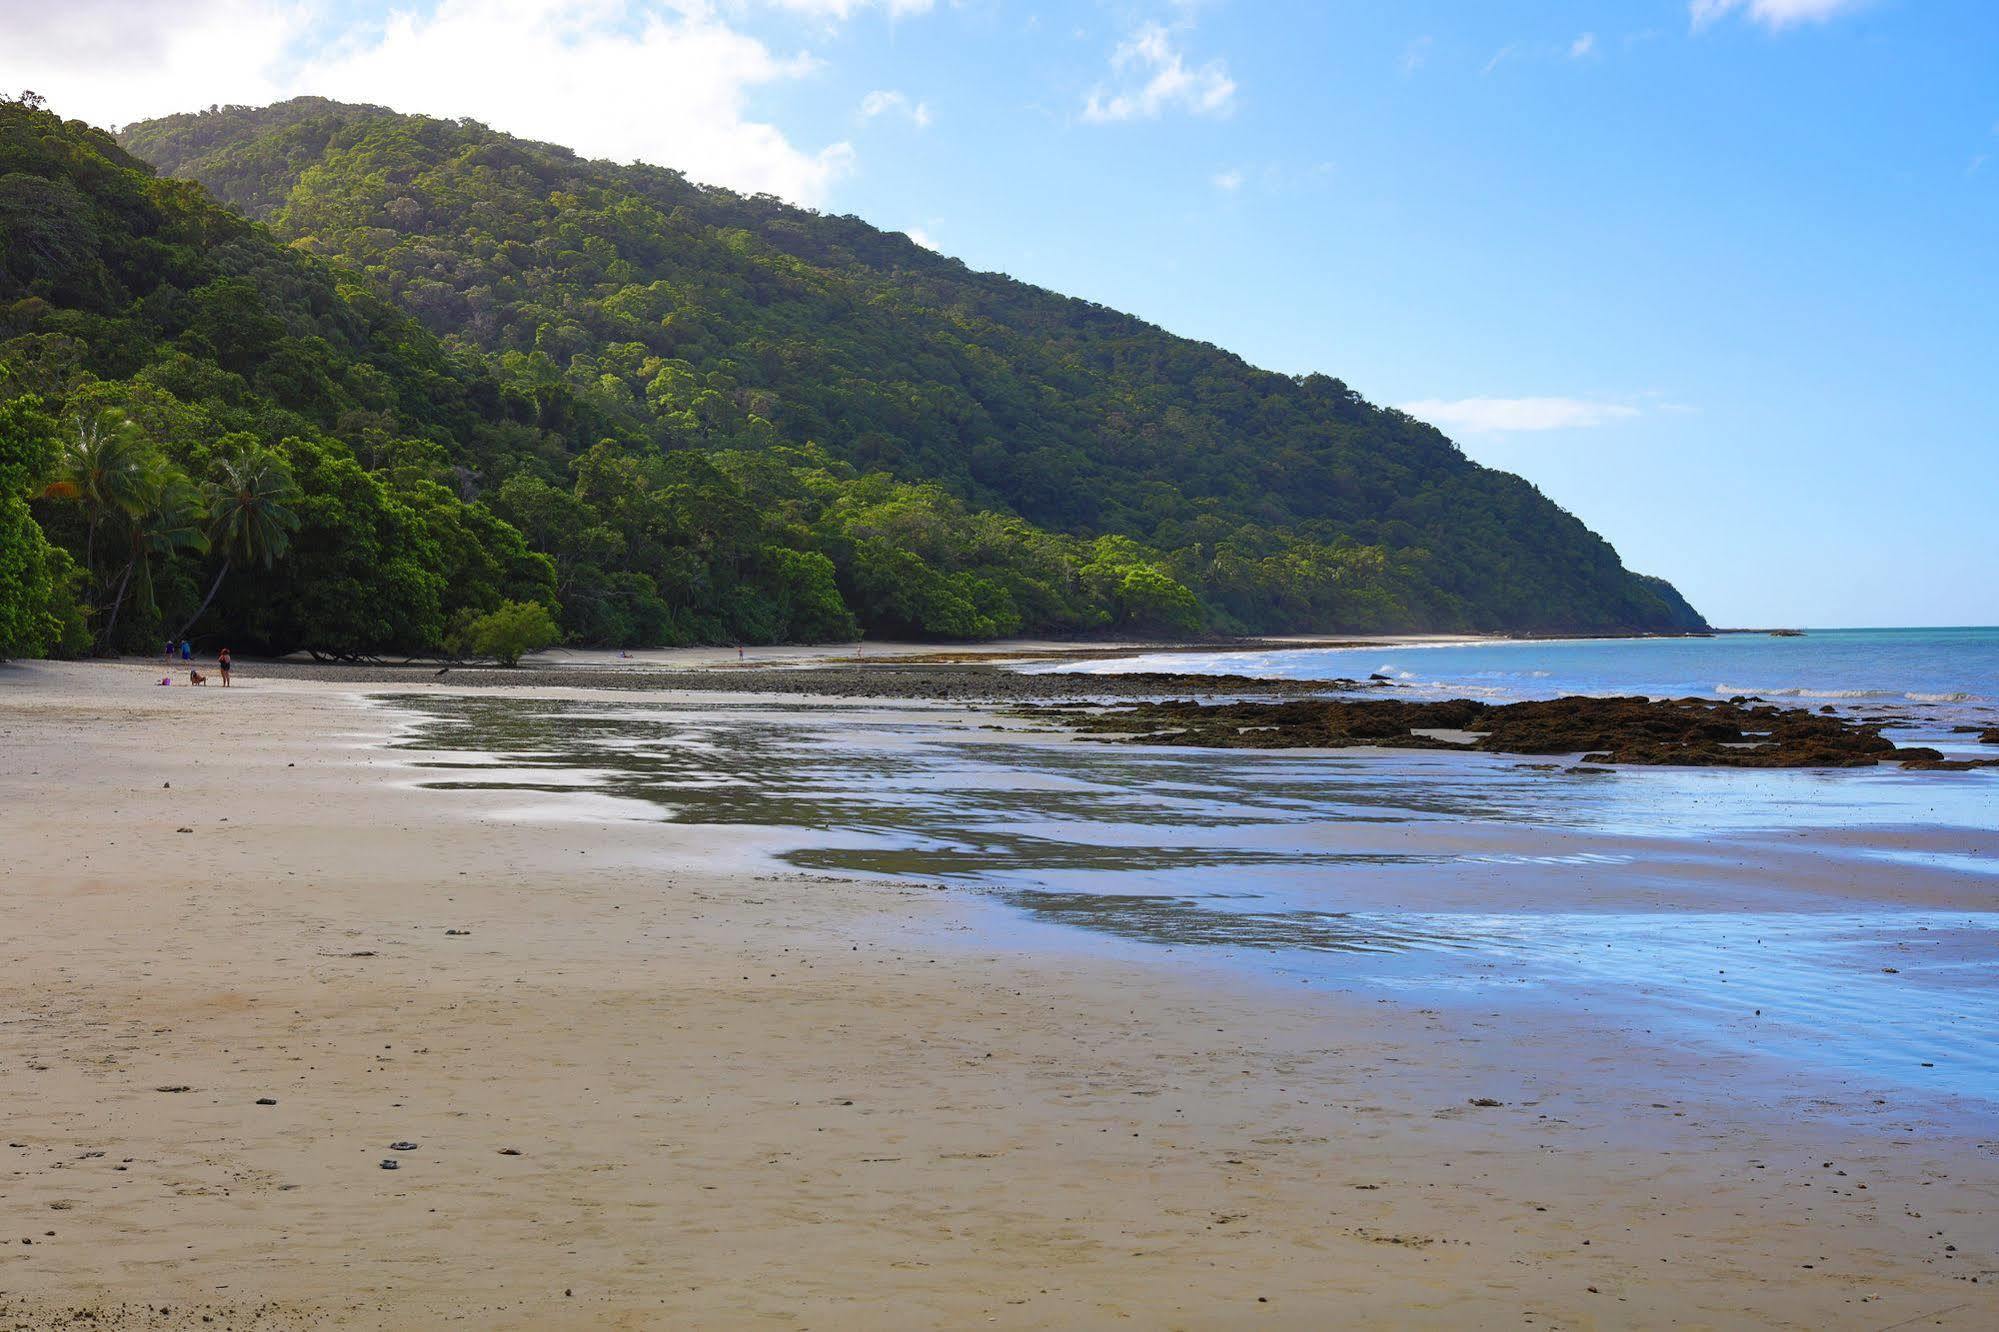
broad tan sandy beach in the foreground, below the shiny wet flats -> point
(759, 1099)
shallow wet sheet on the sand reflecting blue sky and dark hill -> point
(1832, 919)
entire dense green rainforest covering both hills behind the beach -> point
(413, 383)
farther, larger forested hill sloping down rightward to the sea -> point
(631, 305)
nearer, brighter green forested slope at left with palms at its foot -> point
(207, 429)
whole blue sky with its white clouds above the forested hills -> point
(1718, 277)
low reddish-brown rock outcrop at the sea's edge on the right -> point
(1606, 731)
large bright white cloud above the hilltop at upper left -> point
(657, 81)
